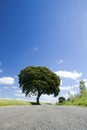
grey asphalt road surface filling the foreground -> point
(43, 118)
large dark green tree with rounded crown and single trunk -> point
(38, 80)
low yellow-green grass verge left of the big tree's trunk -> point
(5, 102)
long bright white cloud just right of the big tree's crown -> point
(67, 74)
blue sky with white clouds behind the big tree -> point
(46, 33)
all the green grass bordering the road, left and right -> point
(78, 100)
